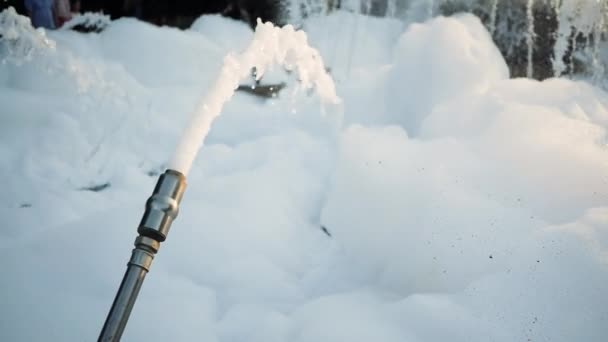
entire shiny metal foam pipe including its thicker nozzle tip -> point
(161, 209)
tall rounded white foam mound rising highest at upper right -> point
(439, 60)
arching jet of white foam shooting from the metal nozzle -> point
(284, 46)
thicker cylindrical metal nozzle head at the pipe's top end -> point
(163, 206)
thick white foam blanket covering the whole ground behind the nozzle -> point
(462, 205)
